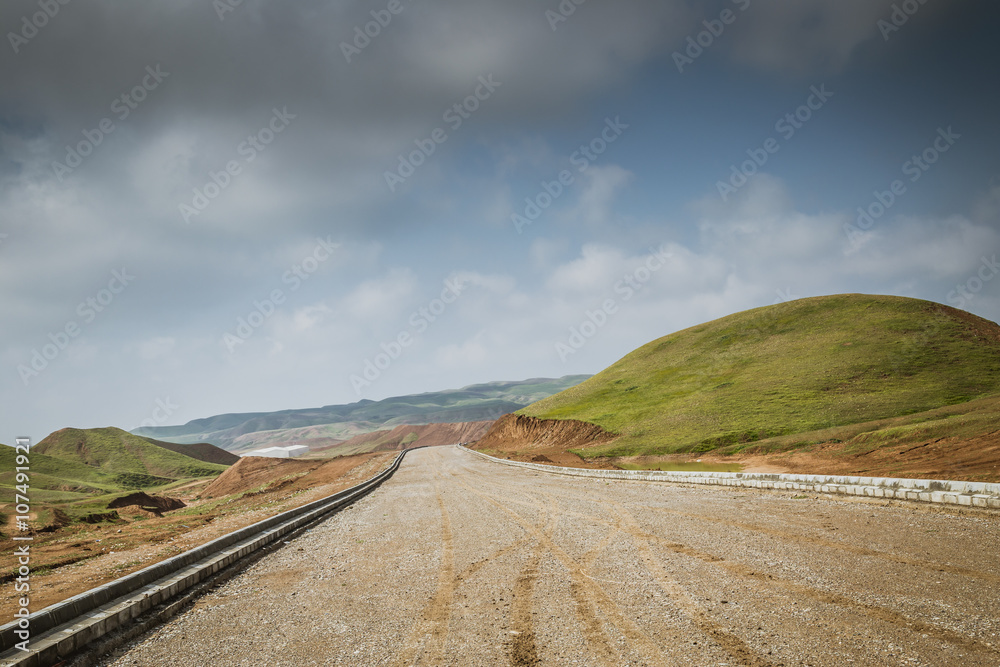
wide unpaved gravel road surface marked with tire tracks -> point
(461, 561)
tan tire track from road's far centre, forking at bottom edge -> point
(589, 597)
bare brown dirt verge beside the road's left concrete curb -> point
(69, 558)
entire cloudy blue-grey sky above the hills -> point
(233, 206)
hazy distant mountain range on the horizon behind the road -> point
(328, 425)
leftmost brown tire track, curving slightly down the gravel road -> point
(430, 635)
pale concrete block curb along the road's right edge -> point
(946, 492)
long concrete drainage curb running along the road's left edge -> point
(65, 628)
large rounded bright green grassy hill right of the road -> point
(784, 369)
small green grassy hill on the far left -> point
(132, 460)
